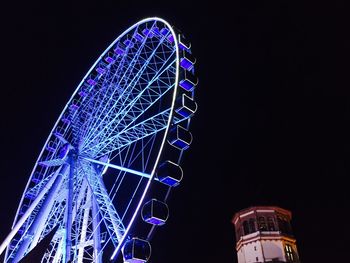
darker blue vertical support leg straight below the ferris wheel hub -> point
(68, 241)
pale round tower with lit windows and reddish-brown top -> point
(264, 234)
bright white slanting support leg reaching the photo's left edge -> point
(30, 209)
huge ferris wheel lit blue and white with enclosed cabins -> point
(101, 182)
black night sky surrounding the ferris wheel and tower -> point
(272, 126)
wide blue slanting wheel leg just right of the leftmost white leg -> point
(32, 236)
